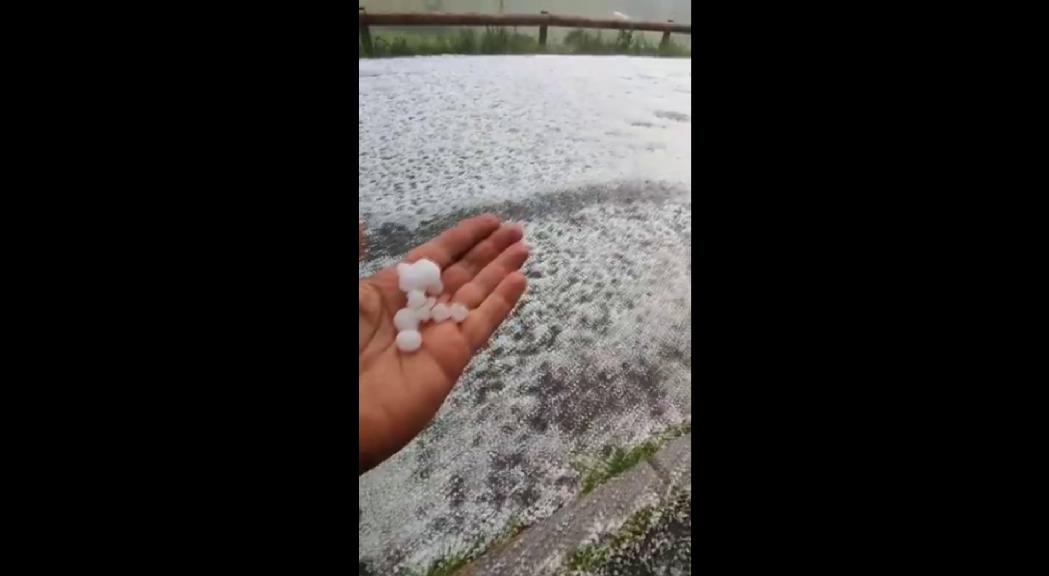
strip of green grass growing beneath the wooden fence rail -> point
(502, 40)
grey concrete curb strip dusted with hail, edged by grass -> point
(543, 549)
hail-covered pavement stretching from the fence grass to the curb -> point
(593, 156)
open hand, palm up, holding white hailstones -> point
(400, 394)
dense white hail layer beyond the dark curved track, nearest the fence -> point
(438, 135)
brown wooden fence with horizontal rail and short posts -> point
(544, 20)
